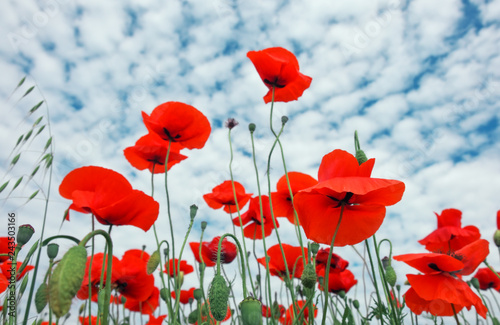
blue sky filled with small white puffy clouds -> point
(418, 80)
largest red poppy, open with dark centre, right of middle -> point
(343, 182)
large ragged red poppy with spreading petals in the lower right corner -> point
(438, 288)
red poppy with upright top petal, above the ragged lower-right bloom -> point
(450, 236)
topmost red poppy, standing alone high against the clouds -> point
(279, 68)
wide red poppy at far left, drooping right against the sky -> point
(109, 196)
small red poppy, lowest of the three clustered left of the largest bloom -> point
(254, 220)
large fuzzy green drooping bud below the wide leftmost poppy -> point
(67, 280)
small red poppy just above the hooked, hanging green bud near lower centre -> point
(209, 251)
